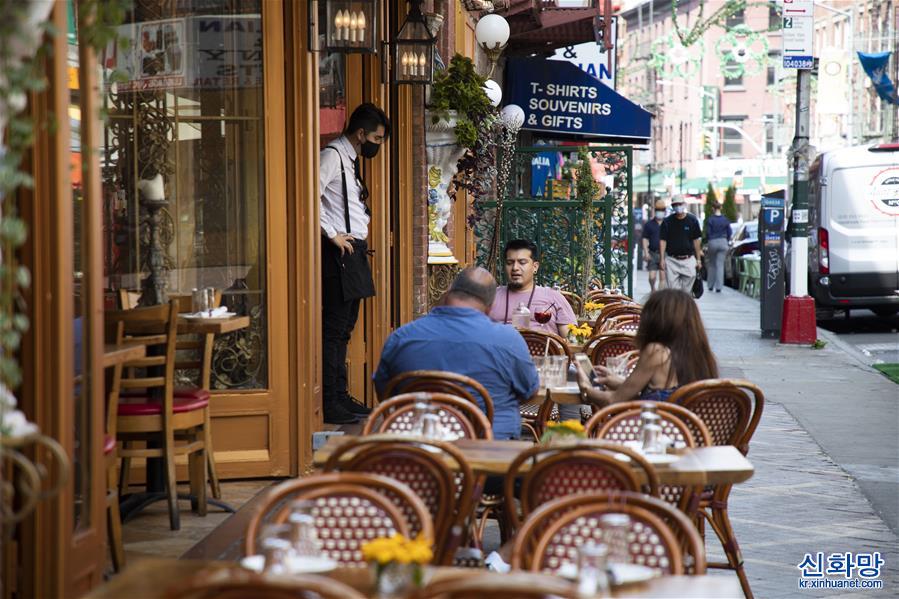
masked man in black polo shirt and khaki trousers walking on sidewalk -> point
(680, 247)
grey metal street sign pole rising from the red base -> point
(800, 157)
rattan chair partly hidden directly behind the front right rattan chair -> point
(572, 470)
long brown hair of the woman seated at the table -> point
(670, 317)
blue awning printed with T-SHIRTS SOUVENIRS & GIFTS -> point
(558, 97)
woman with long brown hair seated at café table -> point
(674, 351)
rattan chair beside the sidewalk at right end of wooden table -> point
(731, 417)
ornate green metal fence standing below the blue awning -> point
(580, 237)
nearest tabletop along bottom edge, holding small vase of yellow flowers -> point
(152, 578)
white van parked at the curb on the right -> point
(854, 229)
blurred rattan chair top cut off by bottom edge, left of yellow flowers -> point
(239, 583)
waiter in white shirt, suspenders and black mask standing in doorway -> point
(346, 274)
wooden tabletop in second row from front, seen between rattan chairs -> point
(721, 464)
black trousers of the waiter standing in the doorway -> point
(338, 321)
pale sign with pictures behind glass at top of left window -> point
(199, 52)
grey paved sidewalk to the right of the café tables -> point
(826, 452)
